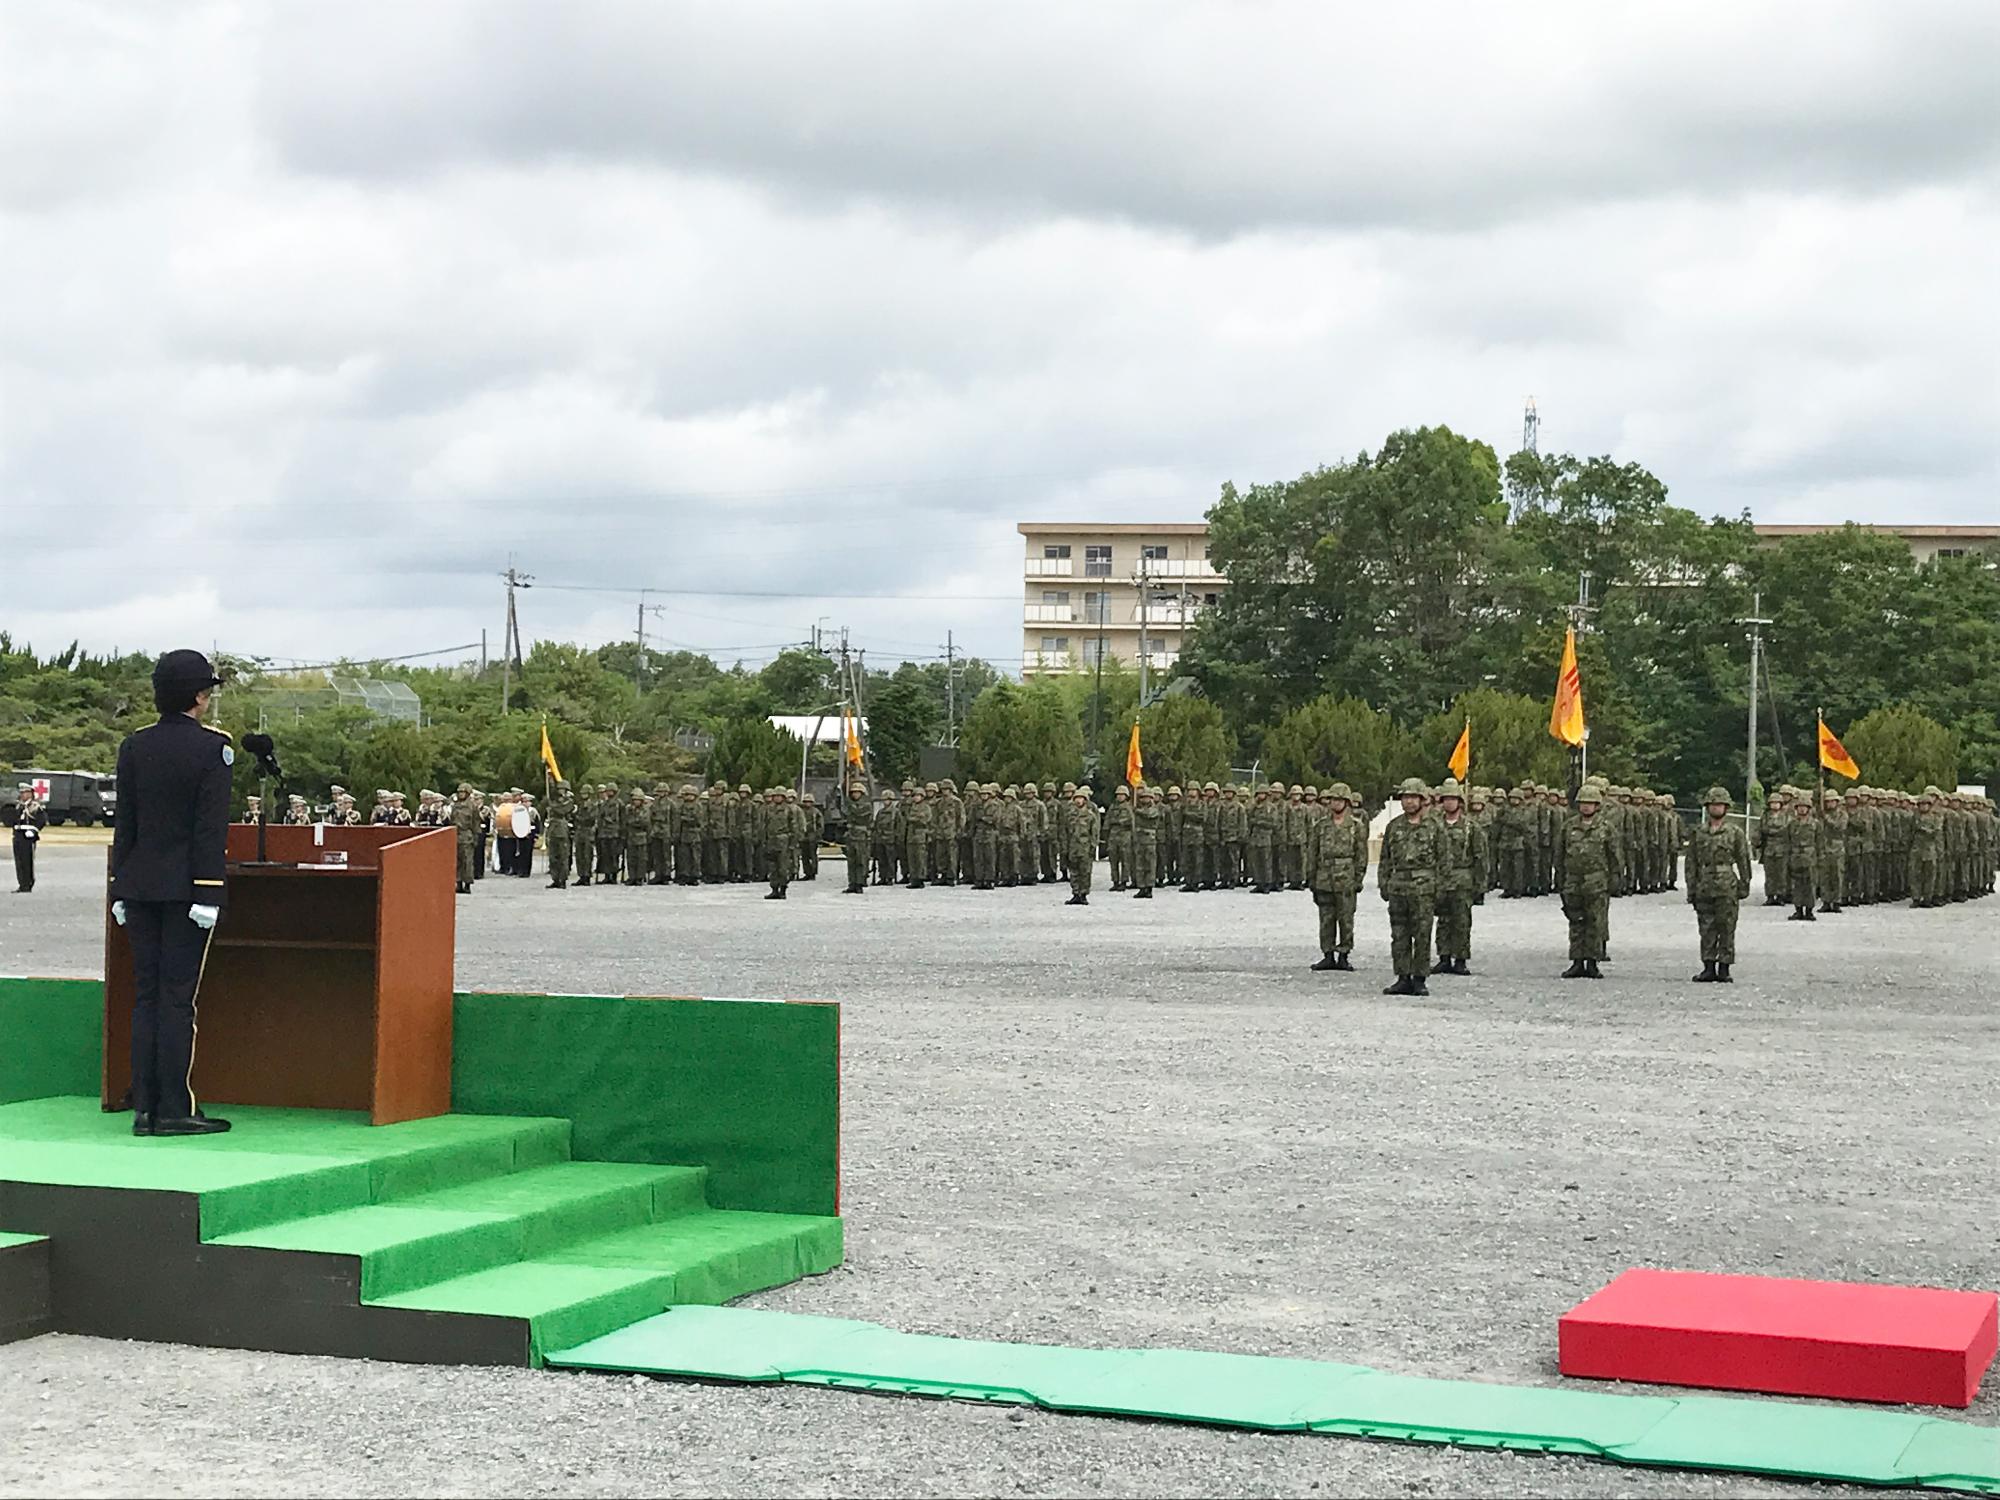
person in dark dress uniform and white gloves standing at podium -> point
(167, 885)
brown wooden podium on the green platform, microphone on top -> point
(329, 979)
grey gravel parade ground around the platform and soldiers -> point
(1147, 1123)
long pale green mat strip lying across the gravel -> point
(1753, 1437)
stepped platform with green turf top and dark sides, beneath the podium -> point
(467, 1237)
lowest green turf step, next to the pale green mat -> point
(611, 1281)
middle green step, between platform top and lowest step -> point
(473, 1227)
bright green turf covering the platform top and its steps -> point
(465, 1213)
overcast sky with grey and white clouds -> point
(311, 315)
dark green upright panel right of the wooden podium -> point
(747, 1089)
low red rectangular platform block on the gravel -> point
(1785, 1337)
